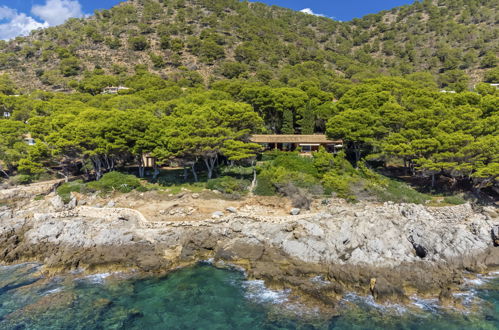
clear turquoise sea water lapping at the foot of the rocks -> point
(204, 297)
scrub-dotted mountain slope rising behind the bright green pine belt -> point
(199, 41)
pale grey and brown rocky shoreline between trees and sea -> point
(390, 251)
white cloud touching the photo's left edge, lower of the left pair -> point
(17, 24)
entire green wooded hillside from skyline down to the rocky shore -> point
(408, 88)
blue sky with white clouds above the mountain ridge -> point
(19, 17)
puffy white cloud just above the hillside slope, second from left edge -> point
(56, 12)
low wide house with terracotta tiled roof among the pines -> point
(302, 143)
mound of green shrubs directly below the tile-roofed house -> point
(330, 174)
